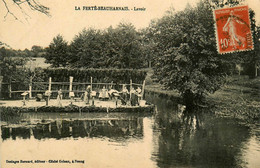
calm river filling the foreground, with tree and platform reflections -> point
(167, 138)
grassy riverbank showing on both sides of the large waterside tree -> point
(238, 98)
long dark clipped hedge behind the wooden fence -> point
(98, 75)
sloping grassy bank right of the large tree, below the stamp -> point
(240, 98)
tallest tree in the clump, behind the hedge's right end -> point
(123, 47)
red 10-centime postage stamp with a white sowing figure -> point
(233, 29)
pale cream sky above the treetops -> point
(39, 29)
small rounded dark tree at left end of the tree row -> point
(57, 52)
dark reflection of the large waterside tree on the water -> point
(199, 139)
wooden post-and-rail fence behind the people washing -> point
(77, 87)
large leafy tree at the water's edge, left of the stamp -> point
(187, 57)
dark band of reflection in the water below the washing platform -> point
(114, 128)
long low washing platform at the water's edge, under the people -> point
(17, 106)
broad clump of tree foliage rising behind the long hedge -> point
(118, 47)
